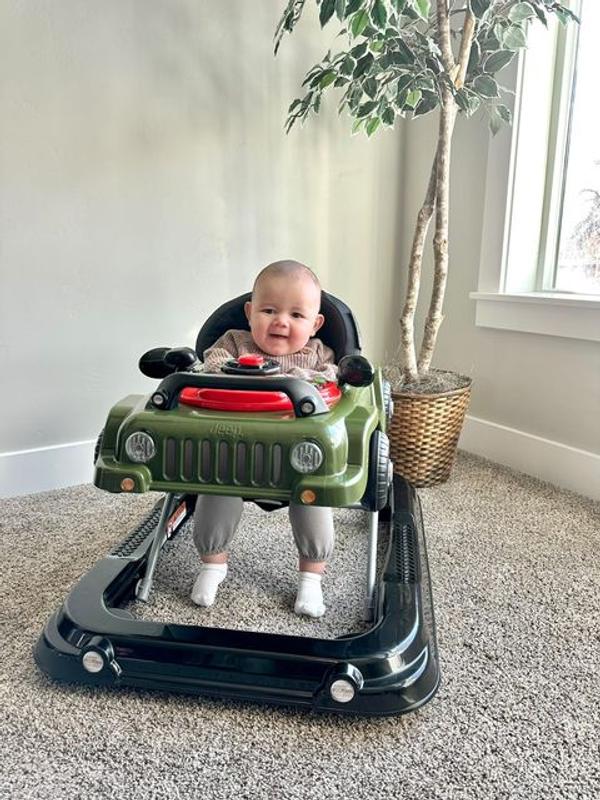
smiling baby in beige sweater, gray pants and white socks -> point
(283, 316)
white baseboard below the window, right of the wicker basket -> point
(564, 466)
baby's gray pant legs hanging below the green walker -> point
(216, 519)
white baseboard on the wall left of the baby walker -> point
(45, 468)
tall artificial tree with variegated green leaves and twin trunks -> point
(407, 58)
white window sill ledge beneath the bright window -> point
(567, 315)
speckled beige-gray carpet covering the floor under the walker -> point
(516, 571)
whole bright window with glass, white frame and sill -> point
(541, 238)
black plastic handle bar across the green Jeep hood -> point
(305, 397)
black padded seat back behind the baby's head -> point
(339, 331)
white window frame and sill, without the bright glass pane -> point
(519, 295)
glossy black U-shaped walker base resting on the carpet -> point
(390, 669)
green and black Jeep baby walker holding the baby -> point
(252, 433)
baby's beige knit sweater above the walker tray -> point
(315, 360)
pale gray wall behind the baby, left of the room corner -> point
(145, 177)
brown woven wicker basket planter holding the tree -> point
(424, 434)
